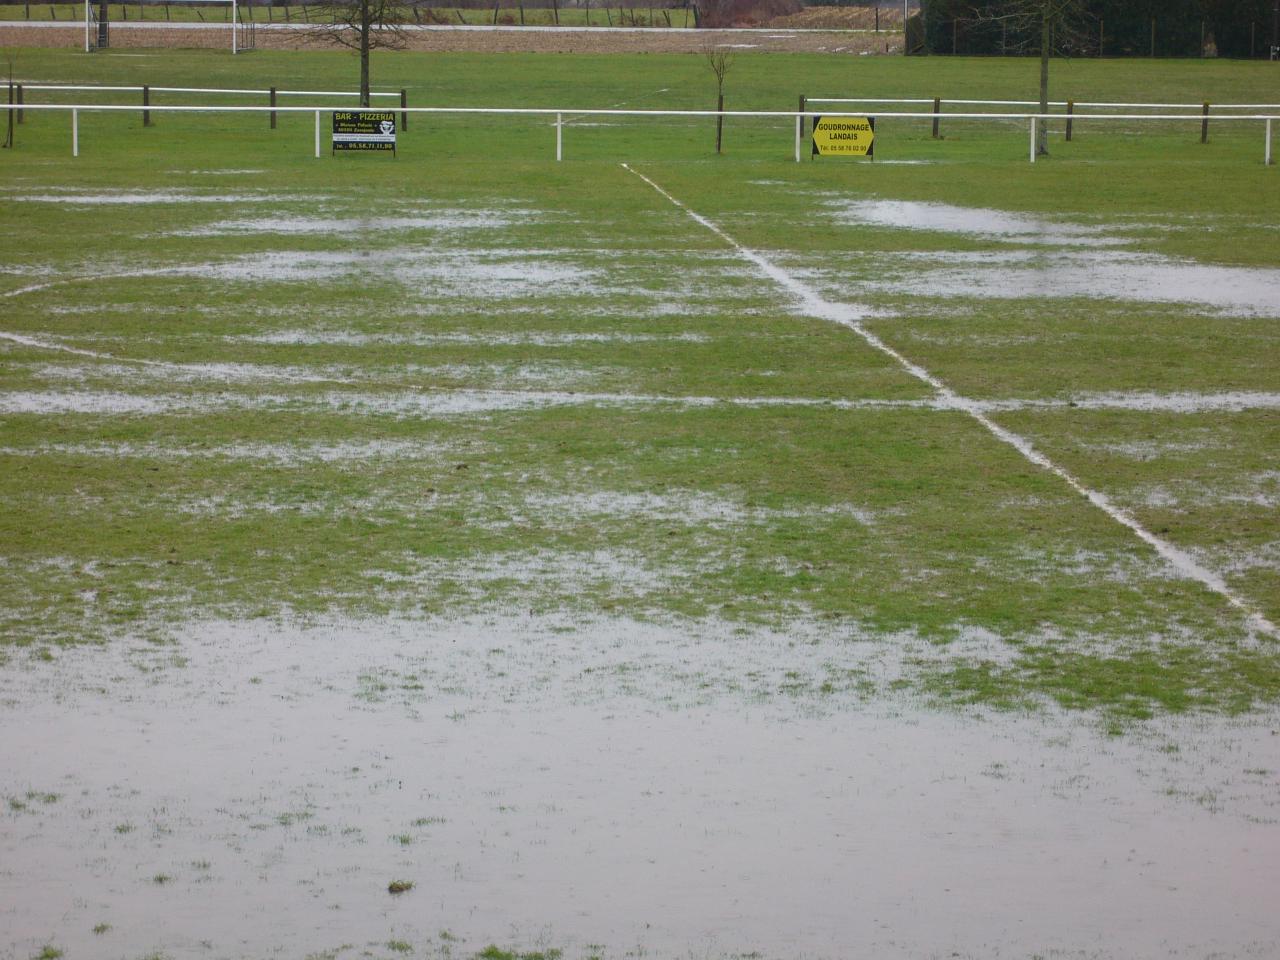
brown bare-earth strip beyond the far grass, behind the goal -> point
(598, 40)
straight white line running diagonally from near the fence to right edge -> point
(817, 307)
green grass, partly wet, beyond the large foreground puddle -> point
(473, 380)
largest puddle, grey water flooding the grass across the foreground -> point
(254, 790)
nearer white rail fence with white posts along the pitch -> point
(559, 115)
